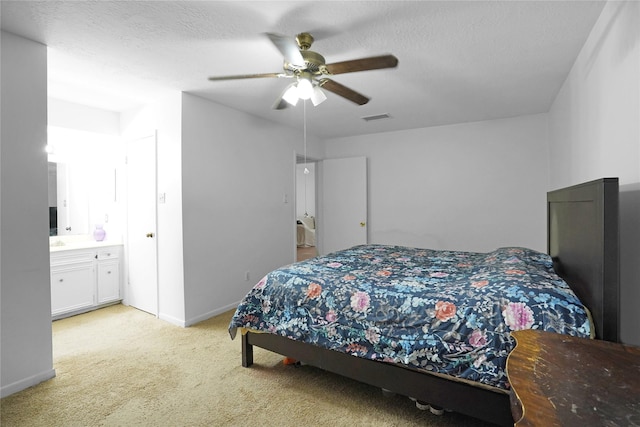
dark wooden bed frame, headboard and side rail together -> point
(582, 240)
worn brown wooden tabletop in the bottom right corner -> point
(559, 380)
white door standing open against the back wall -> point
(344, 203)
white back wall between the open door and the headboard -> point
(473, 186)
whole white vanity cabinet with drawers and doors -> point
(84, 279)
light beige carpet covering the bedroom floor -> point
(122, 367)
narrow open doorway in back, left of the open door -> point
(305, 209)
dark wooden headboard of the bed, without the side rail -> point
(583, 241)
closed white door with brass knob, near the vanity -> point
(142, 250)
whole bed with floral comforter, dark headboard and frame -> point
(434, 325)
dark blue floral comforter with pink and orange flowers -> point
(449, 312)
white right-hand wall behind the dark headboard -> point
(594, 127)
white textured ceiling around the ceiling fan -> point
(458, 61)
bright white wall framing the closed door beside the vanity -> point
(164, 116)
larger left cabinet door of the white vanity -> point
(72, 288)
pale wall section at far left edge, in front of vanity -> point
(25, 310)
